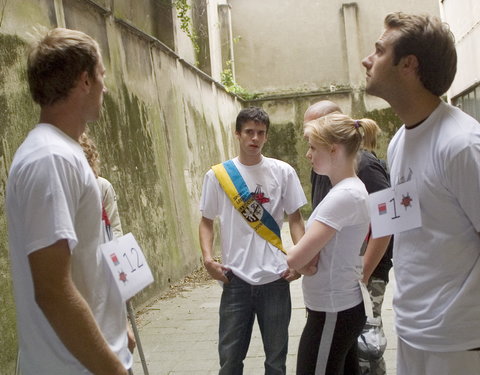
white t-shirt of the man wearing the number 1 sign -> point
(437, 266)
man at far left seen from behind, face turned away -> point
(70, 318)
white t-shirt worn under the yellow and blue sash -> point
(252, 258)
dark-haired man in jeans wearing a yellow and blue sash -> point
(254, 270)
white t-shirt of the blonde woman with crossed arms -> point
(335, 286)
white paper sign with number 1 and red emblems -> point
(395, 210)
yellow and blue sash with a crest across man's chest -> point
(244, 202)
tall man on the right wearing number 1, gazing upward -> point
(437, 265)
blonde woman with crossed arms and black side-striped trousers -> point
(329, 254)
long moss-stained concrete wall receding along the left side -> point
(164, 123)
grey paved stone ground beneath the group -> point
(179, 333)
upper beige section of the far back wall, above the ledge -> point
(311, 45)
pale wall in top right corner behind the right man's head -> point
(463, 16)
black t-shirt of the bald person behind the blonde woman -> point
(375, 177)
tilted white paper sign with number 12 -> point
(127, 264)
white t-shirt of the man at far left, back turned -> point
(52, 194)
